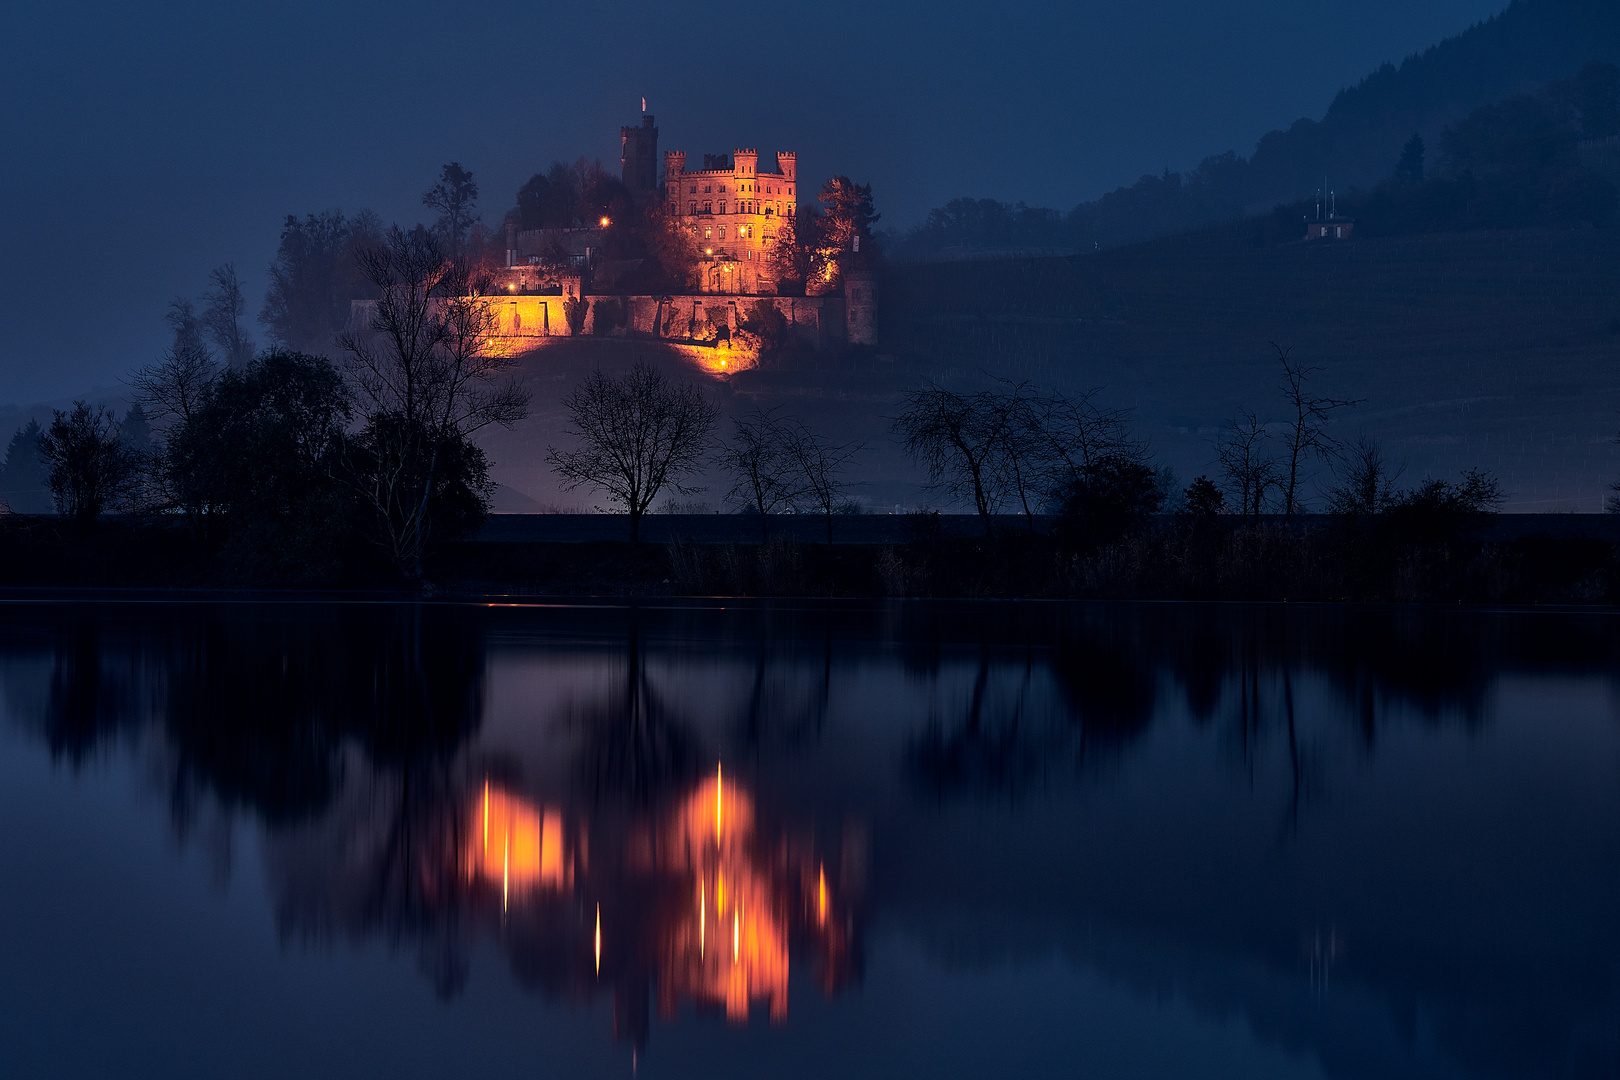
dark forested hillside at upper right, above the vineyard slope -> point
(1355, 147)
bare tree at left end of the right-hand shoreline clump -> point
(961, 441)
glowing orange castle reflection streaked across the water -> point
(691, 899)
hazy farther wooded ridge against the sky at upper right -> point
(1355, 145)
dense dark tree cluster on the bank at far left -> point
(284, 467)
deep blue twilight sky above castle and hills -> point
(150, 143)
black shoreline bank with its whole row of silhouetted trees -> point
(286, 472)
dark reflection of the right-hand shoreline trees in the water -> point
(1064, 694)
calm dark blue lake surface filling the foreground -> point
(803, 841)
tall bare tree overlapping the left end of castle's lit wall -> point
(428, 380)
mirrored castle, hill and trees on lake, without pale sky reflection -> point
(1276, 814)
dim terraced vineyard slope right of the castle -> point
(1494, 349)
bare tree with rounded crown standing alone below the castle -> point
(637, 435)
